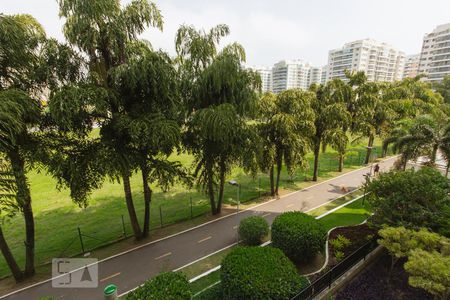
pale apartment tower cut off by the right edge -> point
(435, 55)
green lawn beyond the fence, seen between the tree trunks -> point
(57, 218)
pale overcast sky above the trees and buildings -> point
(272, 30)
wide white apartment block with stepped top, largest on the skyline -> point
(380, 61)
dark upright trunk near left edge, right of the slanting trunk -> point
(24, 200)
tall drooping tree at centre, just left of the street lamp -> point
(218, 95)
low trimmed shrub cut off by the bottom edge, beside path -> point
(169, 285)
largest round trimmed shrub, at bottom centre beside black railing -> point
(259, 273)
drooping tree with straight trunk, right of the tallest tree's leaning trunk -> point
(147, 85)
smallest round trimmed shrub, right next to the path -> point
(253, 229)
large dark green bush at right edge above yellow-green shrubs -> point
(412, 199)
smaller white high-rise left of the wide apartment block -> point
(290, 74)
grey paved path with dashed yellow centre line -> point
(131, 268)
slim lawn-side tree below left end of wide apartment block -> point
(331, 117)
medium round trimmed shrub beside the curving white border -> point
(298, 235)
